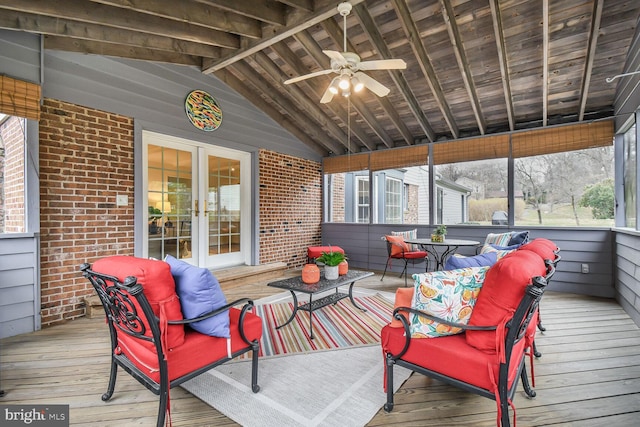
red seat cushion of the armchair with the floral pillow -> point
(451, 356)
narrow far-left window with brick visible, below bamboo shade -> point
(12, 174)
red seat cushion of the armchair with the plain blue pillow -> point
(198, 350)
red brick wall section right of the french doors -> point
(290, 207)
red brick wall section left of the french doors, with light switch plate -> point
(86, 159)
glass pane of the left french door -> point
(169, 198)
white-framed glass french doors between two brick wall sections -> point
(197, 202)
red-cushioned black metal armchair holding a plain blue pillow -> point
(152, 341)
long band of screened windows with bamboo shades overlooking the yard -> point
(560, 176)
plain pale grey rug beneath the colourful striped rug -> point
(341, 387)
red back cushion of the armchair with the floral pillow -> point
(503, 288)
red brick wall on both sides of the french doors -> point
(86, 159)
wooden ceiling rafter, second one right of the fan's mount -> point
(411, 30)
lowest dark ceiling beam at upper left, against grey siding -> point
(97, 48)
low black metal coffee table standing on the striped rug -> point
(295, 284)
